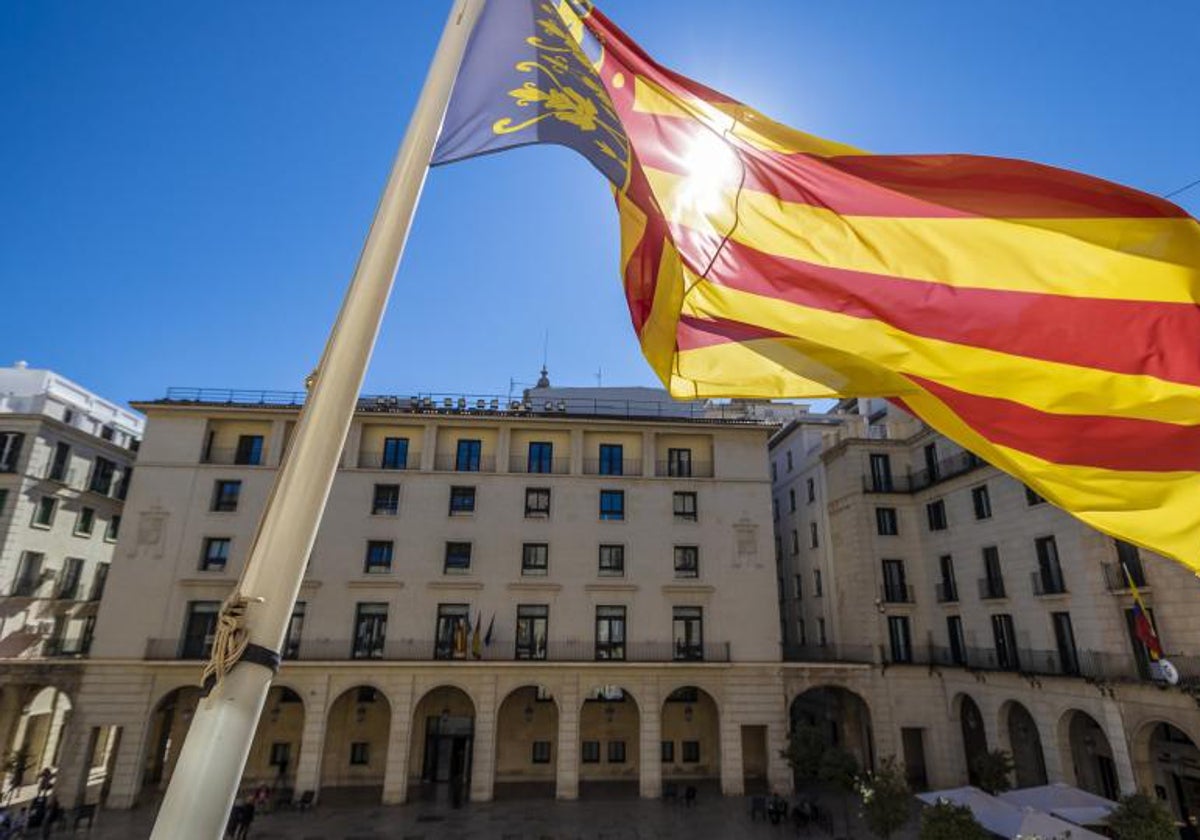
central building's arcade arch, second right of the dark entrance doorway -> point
(610, 742)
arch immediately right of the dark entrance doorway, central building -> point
(526, 743)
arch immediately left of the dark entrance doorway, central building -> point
(357, 740)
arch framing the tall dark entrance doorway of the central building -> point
(442, 747)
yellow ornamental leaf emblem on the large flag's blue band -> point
(566, 87)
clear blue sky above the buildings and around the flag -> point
(184, 188)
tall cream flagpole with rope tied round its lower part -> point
(255, 621)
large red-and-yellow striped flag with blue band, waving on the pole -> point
(1043, 320)
